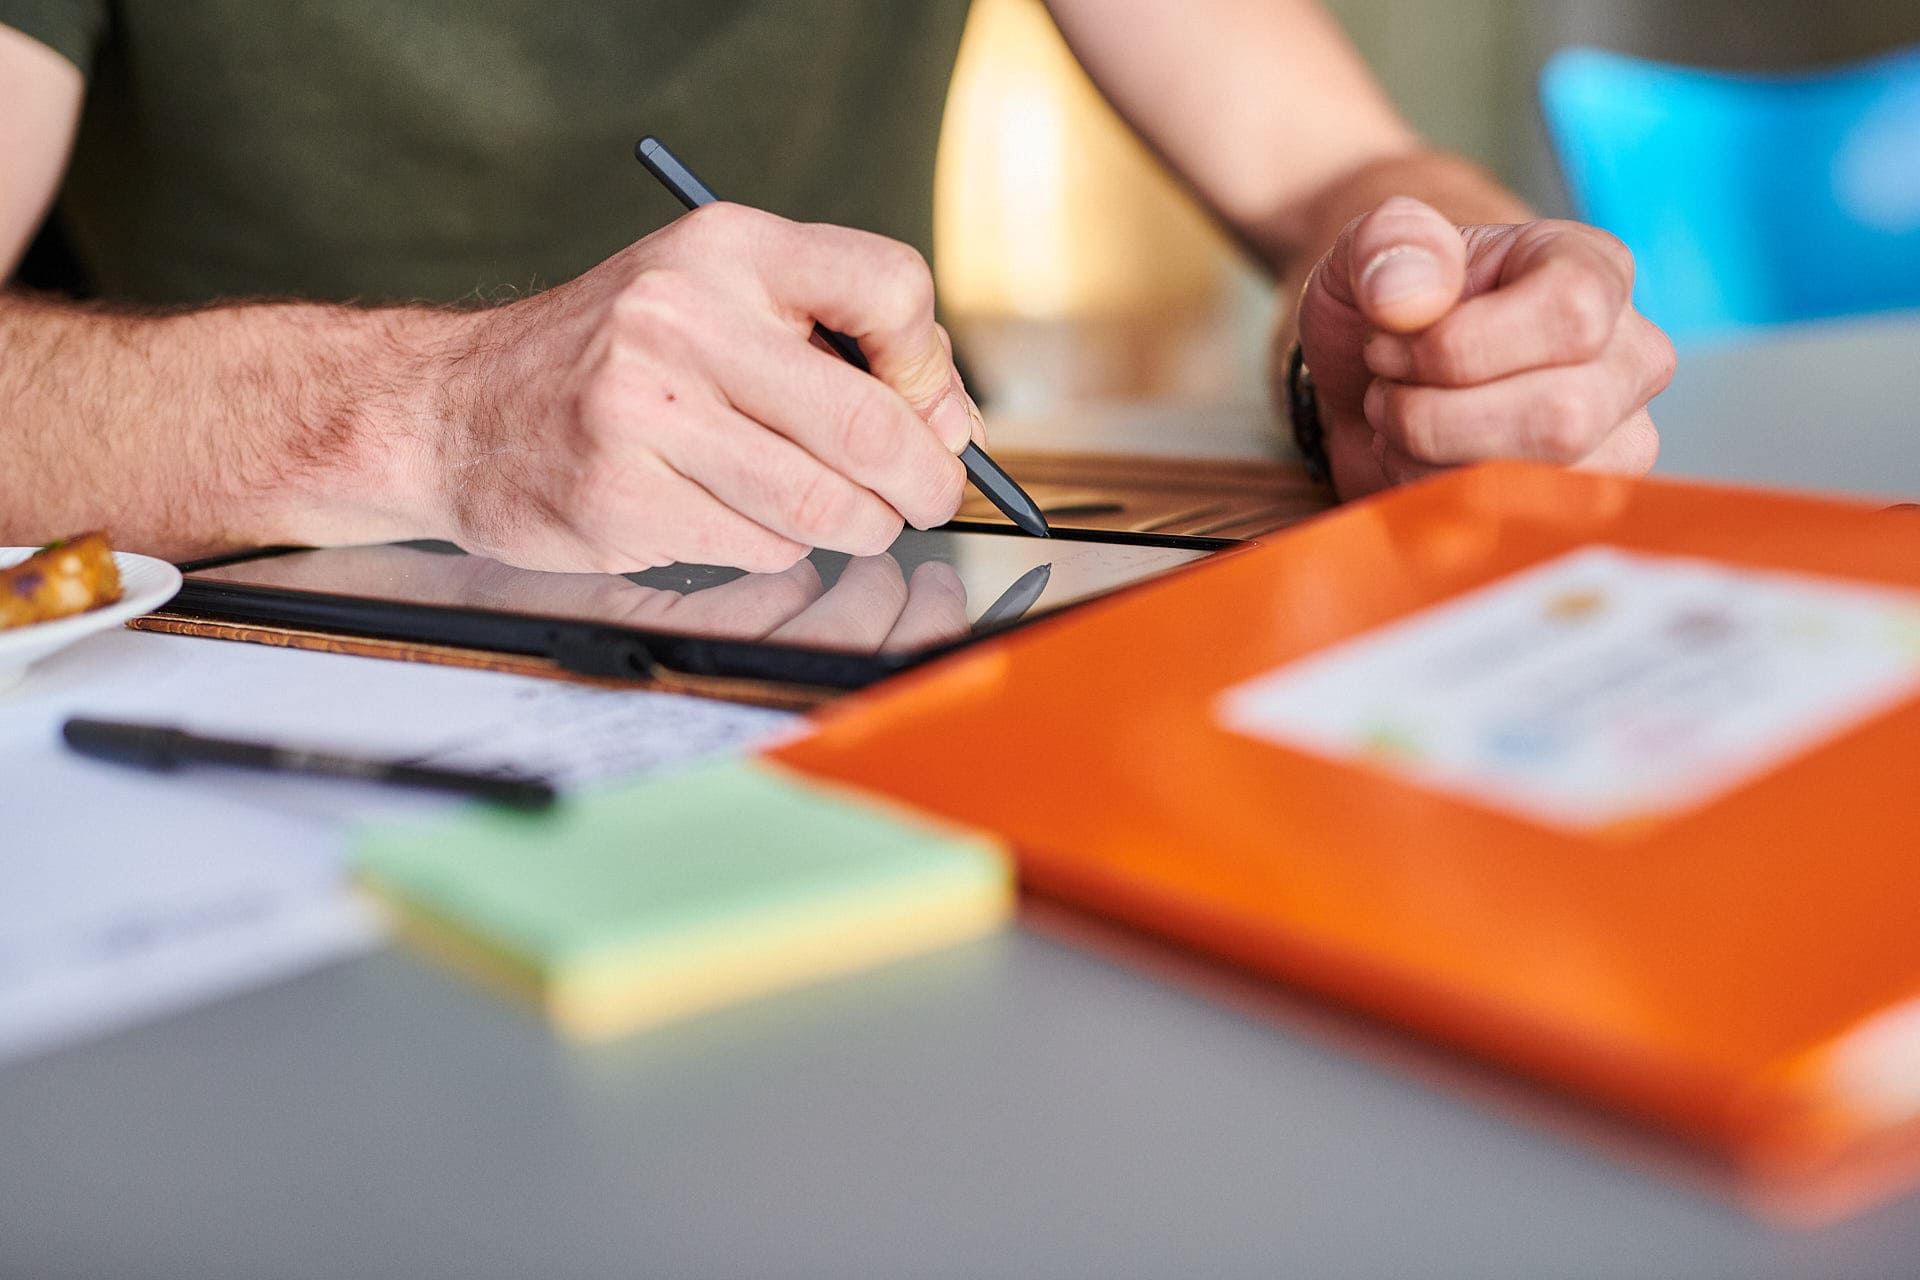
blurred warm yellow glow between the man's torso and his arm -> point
(1049, 214)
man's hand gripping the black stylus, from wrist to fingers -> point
(669, 406)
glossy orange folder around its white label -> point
(1740, 968)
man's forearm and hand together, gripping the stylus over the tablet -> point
(665, 406)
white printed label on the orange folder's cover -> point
(1602, 686)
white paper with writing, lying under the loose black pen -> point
(126, 895)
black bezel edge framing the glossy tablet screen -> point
(592, 648)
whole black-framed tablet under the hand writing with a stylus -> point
(832, 621)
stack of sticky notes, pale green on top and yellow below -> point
(675, 895)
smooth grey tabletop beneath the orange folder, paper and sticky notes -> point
(1024, 1106)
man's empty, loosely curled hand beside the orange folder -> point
(1435, 344)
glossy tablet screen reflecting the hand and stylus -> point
(928, 590)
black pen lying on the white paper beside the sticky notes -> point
(160, 747)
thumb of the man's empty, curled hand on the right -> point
(1403, 268)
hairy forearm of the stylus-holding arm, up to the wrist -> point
(199, 433)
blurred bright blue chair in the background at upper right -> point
(1748, 201)
